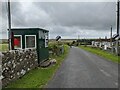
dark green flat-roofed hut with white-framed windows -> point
(31, 38)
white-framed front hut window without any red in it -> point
(30, 41)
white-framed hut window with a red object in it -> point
(18, 41)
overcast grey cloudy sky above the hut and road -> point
(67, 19)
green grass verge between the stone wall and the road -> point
(39, 77)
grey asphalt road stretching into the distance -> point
(82, 69)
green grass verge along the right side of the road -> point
(105, 54)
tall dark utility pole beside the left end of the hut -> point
(9, 25)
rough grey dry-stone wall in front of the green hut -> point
(16, 63)
